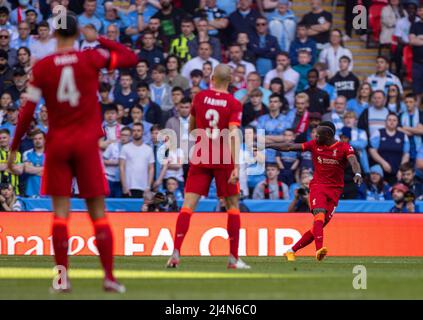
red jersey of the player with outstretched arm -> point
(329, 162)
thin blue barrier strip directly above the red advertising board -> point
(133, 205)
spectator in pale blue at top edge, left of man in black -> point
(282, 24)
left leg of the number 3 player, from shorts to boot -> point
(197, 184)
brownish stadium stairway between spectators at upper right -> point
(364, 58)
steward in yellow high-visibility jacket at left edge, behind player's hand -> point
(6, 176)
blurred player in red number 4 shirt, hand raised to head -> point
(68, 81)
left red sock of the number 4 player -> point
(60, 241)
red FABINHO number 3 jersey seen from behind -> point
(214, 112)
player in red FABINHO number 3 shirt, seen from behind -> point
(216, 116)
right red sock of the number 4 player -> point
(104, 242)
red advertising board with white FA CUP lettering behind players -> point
(266, 234)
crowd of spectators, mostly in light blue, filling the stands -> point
(290, 72)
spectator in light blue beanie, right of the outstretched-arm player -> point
(374, 187)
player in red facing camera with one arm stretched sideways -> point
(330, 158)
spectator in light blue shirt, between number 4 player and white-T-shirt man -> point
(111, 162)
